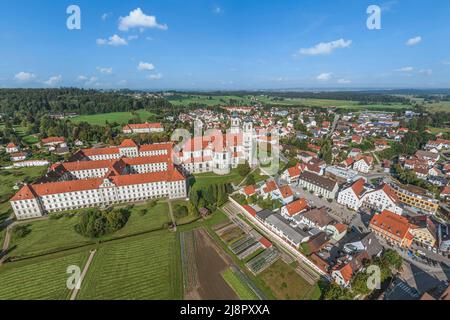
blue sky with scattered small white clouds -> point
(225, 44)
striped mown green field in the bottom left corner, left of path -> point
(38, 279)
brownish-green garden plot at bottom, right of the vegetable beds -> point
(286, 284)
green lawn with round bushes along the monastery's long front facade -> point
(57, 234)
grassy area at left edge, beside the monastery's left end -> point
(8, 178)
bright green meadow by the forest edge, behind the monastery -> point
(119, 117)
